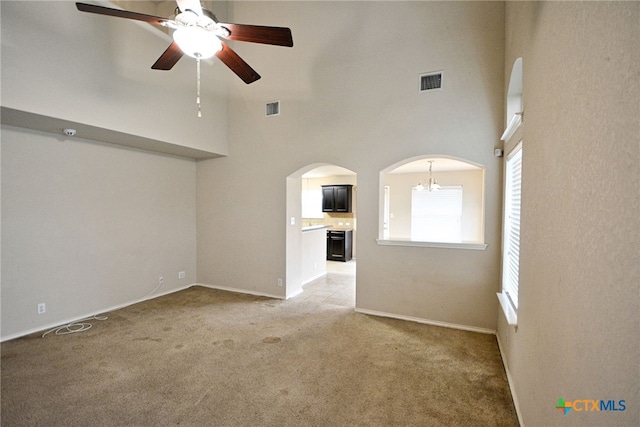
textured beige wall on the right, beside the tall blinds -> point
(578, 317)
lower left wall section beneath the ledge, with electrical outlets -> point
(89, 226)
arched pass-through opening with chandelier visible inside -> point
(432, 201)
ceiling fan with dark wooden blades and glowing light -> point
(198, 34)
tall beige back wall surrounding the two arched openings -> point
(349, 96)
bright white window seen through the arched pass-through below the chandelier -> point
(436, 215)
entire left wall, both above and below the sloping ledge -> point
(88, 226)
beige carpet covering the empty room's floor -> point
(204, 357)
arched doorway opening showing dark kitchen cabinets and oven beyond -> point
(321, 234)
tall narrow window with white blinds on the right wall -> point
(511, 255)
